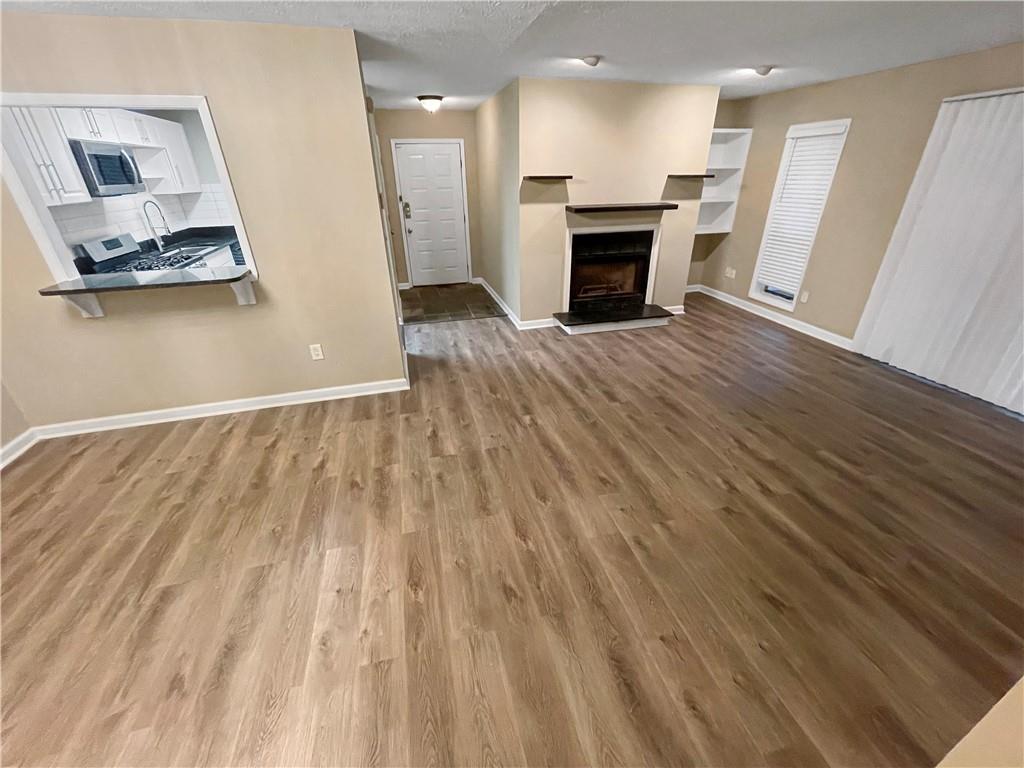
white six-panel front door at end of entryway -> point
(433, 216)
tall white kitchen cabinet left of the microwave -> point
(40, 148)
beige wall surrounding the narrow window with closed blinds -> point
(893, 112)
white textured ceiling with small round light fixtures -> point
(470, 51)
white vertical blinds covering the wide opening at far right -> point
(949, 303)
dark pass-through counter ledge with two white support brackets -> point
(83, 293)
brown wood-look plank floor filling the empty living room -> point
(716, 543)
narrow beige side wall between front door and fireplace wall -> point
(498, 153)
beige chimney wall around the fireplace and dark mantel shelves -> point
(620, 141)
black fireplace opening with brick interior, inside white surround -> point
(610, 271)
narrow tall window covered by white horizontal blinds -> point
(805, 177)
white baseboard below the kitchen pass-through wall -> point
(27, 440)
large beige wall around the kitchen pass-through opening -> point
(288, 104)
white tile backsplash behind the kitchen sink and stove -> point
(106, 217)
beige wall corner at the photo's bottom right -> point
(998, 741)
